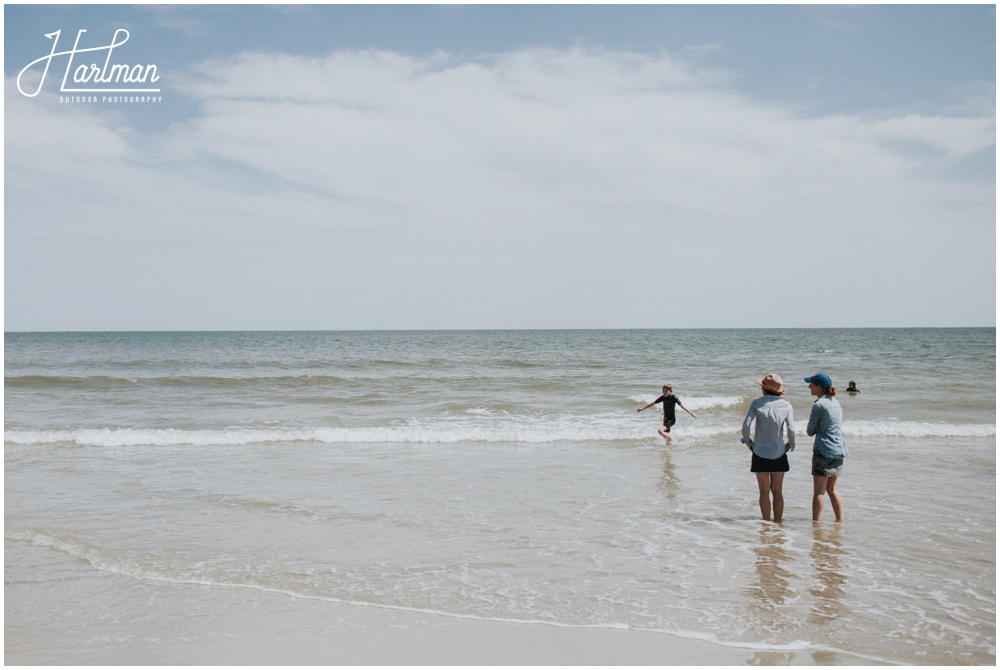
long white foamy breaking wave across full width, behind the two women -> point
(478, 426)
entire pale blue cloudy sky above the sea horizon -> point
(356, 167)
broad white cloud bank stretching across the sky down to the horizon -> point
(542, 181)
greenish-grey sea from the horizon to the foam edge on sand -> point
(504, 476)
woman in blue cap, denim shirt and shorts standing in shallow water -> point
(829, 450)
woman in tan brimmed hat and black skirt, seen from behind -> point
(772, 418)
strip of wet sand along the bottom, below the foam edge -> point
(192, 625)
